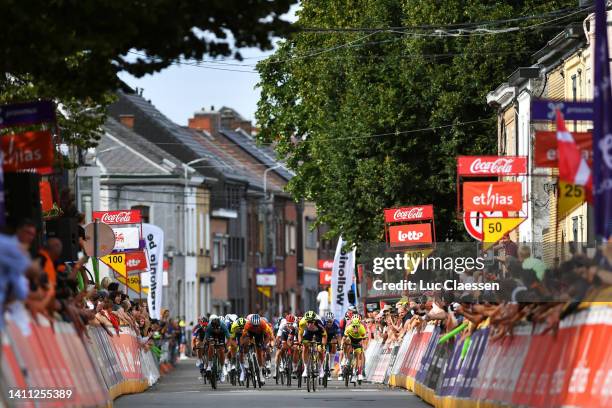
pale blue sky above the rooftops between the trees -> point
(180, 90)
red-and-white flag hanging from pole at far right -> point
(573, 168)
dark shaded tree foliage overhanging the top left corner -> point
(79, 46)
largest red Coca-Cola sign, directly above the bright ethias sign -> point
(491, 165)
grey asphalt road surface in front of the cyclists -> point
(181, 388)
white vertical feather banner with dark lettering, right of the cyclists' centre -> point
(342, 278)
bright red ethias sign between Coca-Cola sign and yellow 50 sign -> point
(492, 196)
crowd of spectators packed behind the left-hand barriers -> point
(38, 280)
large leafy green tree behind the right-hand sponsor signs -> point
(342, 105)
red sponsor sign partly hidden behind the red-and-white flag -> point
(546, 147)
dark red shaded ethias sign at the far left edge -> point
(27, 150)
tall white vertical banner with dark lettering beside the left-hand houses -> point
(154, 241)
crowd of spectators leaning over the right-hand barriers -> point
(530, 292)
